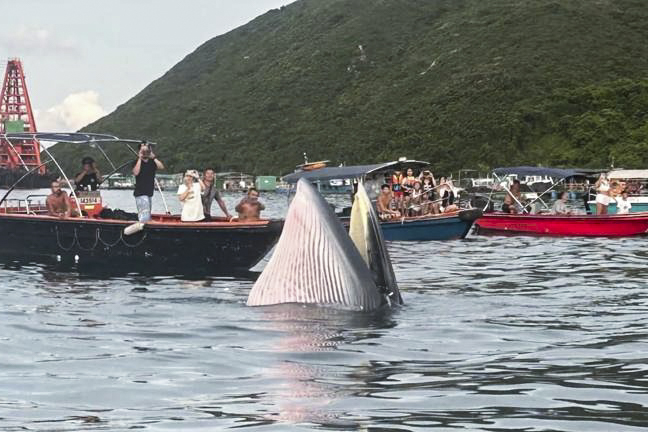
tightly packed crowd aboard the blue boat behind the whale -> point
(415, 195)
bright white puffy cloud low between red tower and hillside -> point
(76, 111)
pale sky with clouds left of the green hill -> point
(83, 58)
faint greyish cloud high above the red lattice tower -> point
(37, 40)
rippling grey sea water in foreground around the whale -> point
(496, 334)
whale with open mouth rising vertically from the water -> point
(317, 262)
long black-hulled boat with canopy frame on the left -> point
(99, 238)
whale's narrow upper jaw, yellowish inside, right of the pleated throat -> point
(366, 233)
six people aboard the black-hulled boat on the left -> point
(196, 194)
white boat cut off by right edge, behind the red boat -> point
(636, 181)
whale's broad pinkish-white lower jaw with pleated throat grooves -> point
(315, 261)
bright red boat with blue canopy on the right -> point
(529, 222)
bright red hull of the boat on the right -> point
(627, 225)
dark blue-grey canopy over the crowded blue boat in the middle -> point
(350, 172)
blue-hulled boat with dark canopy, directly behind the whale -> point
(448, 226)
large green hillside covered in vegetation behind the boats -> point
(461, 83)
